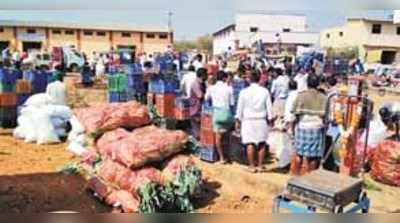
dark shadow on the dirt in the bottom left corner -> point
(42, 193)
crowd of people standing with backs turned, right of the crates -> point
(276, 97)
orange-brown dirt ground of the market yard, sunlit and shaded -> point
(30, 181)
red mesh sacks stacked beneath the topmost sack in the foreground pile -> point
(126, 163)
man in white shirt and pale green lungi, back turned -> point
(221, 96)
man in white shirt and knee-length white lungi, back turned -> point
(253, 112)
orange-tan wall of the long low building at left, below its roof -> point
(88, 43)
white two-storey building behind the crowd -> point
(277, 32)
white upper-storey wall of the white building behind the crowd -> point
(266, 22)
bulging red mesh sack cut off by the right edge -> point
(386, 163)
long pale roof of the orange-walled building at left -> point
(91, 26)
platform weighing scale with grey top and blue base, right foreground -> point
(323, 190)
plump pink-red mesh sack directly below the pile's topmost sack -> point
(144, 145)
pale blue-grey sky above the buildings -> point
(190, 18)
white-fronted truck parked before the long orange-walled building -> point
(68, 57)
